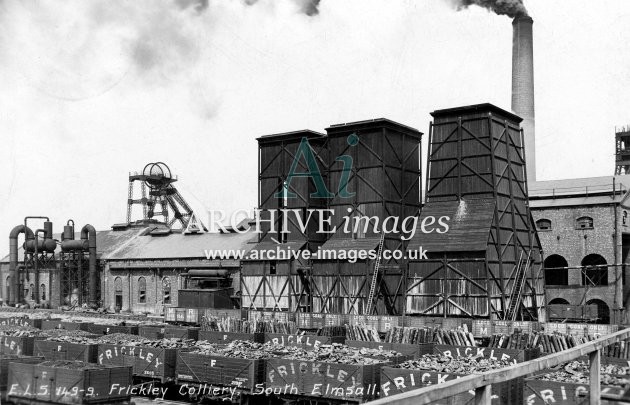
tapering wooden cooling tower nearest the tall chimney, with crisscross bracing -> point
(477, 178)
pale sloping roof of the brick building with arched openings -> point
(579, 186)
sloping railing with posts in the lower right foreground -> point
(482, 383)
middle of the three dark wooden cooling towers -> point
(383, 181)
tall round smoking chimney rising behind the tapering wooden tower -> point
(523, 87)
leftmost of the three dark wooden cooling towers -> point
(283, 284)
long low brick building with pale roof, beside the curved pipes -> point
(141, 270)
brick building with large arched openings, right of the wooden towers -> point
(584, 230)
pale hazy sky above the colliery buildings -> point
(90, 90)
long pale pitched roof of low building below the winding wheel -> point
(180, 246)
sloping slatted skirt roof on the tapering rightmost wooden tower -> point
(469, 226)
